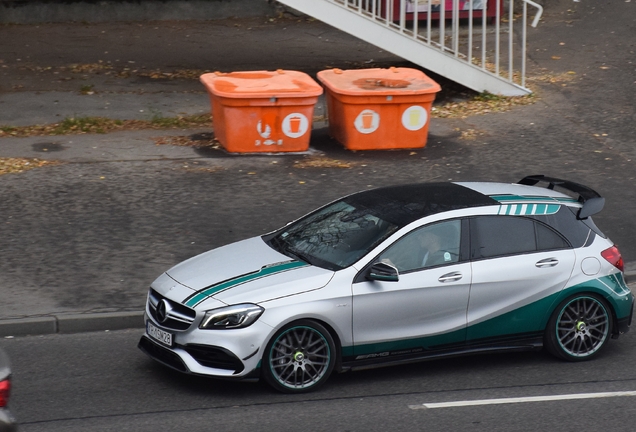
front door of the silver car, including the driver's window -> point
(426, 308)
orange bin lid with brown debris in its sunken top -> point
(377, 81)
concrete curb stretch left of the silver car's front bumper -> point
(71, 323)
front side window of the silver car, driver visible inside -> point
(428, 246)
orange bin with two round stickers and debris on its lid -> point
(373, 109)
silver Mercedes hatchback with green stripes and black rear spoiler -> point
(394, 275)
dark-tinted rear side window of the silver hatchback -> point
(493, 236)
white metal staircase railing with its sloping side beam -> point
(488, 36)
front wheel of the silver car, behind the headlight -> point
(299, 358)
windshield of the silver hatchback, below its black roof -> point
(333, 237)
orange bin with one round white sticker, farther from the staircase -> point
(261, 111)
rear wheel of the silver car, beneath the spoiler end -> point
(579, 328)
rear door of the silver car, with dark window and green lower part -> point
(518, 264)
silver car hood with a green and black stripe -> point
(248, 271)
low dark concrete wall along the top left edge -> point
(40, 11)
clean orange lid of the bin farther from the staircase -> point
(261, 84)
